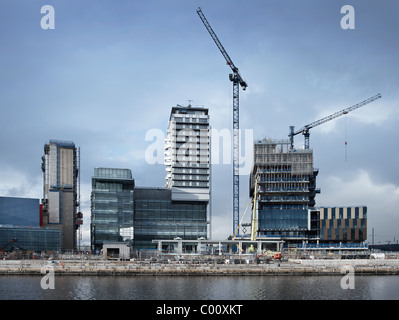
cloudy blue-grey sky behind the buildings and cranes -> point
(110, 71)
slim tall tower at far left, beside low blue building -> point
(60, 174)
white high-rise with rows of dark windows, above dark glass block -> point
(187, 153)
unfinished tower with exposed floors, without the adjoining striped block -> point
(285, 182)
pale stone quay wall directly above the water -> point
(114, 268)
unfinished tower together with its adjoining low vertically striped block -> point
(283, 185)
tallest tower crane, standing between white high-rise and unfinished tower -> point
(238, 81)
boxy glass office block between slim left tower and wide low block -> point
(111, 207)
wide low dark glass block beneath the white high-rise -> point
(157, 217)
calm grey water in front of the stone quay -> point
(199, 288)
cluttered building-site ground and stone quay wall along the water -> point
(222, 264)
